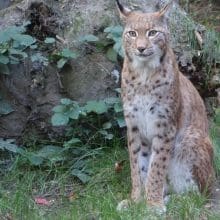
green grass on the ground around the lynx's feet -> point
(98, 199)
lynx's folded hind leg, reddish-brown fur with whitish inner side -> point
(191, 165)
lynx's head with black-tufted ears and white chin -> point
(145, 36)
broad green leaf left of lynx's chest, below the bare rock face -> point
(98, 107)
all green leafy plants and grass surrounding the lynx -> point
(75, 176)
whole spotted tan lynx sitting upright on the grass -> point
(167, 126)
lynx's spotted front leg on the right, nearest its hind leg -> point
(159, 161)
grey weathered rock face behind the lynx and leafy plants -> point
(33, 92)
